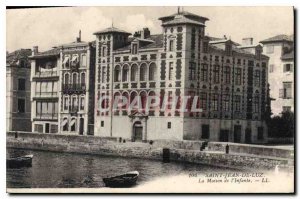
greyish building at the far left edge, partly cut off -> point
(18, 105)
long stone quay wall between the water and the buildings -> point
(179, 151)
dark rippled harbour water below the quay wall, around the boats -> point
(69, 170)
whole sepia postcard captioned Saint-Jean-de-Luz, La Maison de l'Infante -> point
(150, 100)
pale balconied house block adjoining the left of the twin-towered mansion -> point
(62, 89)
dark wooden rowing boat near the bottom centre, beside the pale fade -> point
(125, 180)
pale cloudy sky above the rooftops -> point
(48, 27)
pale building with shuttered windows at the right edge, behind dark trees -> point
(280, 49)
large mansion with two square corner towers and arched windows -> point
(229, 81)
